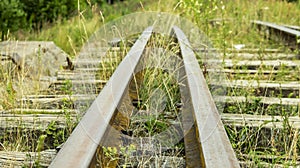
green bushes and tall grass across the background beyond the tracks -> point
(69, 23)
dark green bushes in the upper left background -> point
(33, 14)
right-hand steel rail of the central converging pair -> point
(216, 150)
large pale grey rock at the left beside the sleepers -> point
(36, 58)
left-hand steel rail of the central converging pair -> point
(80, 147)
